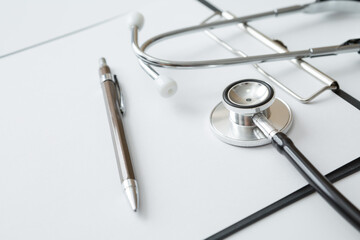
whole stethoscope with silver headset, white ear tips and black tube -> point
(249, 114)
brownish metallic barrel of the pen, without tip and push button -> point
(112, 102)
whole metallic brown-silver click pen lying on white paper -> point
(115, 110)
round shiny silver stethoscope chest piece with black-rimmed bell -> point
(231, 120)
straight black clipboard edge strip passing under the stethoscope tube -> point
(334, 176)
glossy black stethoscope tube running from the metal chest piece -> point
(323, 186)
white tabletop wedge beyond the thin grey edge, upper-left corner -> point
(25, 23)
